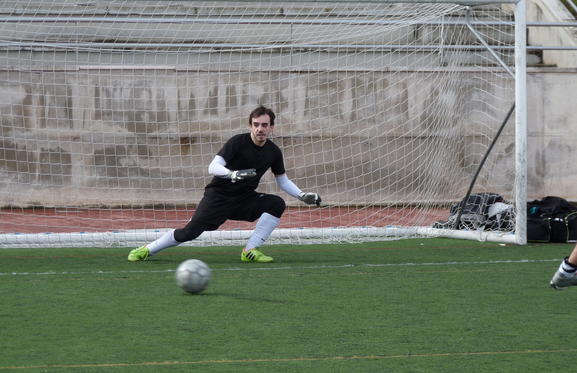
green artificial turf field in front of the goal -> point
(424, 305)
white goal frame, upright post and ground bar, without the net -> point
(518, 237)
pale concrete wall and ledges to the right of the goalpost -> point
(551, 97)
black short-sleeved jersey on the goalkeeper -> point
(240, 153)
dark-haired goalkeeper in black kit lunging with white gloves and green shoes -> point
(237, 169)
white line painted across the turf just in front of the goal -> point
(271, 268)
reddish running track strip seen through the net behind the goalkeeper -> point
(38, 220)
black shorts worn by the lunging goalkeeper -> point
(215, 208)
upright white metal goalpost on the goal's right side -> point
(521, 122)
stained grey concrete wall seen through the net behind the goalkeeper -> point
(124, 137)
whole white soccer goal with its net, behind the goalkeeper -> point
(111, 111)
